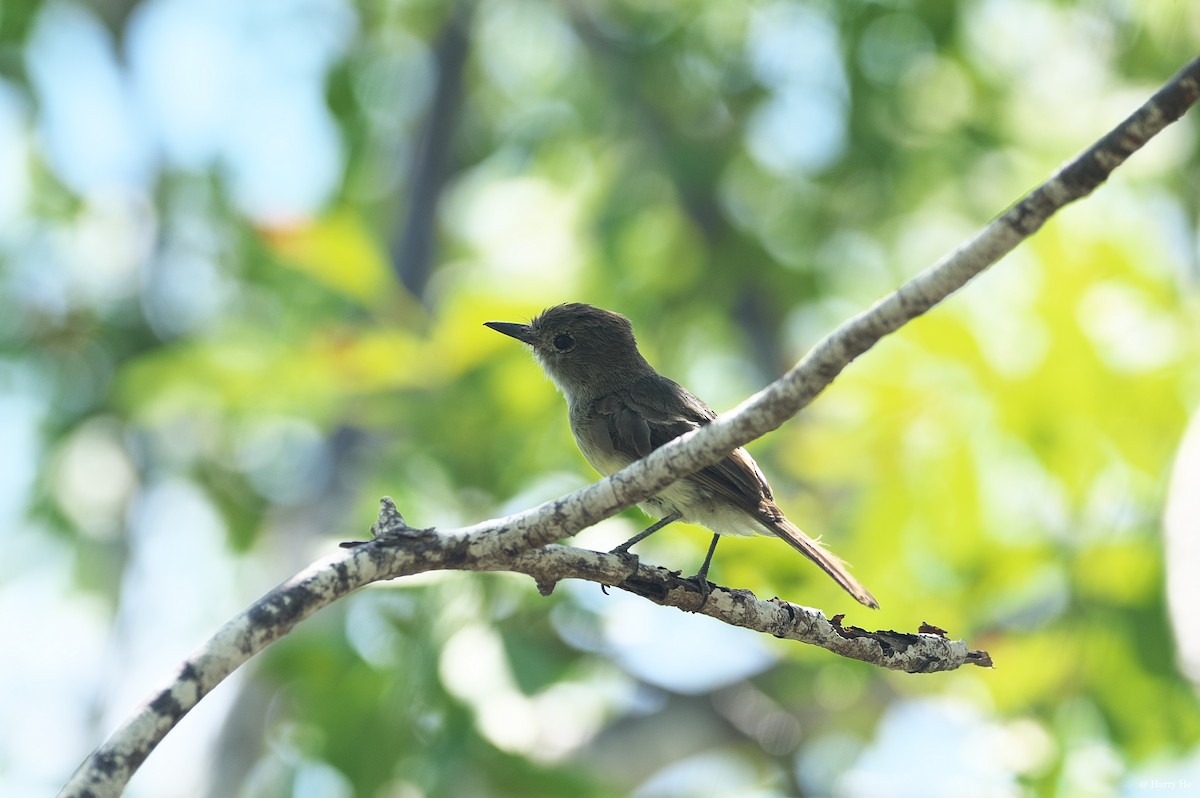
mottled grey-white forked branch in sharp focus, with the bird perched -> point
(507, 544)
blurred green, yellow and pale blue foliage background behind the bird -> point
(247, 250)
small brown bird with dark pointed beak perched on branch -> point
(621, 410)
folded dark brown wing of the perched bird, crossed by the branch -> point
(655, 411)
